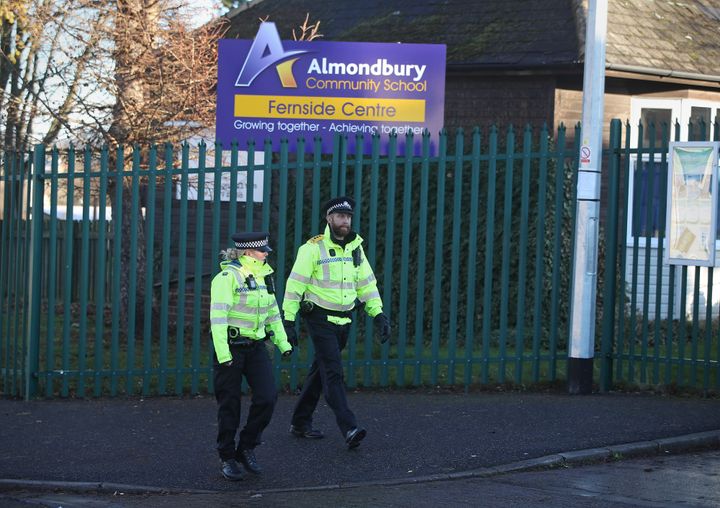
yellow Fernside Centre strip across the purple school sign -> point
(330, 108)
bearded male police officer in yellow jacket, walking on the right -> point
(329, 277)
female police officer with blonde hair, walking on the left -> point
(243, 314)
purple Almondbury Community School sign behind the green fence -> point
(273, 89)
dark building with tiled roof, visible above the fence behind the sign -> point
(521, 61)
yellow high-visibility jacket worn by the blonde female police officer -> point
(233, 303)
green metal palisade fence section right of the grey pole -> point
(661, 323)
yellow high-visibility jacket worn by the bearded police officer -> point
(325, 274)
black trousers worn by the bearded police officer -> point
(325, 375)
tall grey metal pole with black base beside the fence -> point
(584, 275)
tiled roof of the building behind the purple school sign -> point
(682, 35)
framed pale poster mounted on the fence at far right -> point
(692, 203)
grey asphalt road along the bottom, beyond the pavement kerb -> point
(688, 480)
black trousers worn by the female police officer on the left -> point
(254, 363)
